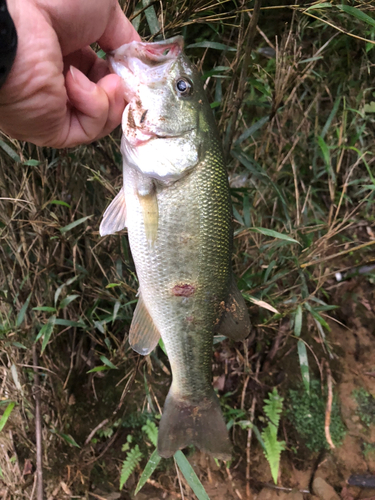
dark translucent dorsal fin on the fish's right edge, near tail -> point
(234, 322)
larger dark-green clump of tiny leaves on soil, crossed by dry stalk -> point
(307, 415)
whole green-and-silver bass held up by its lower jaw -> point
(175, 203)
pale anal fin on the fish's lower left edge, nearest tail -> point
(143, 334)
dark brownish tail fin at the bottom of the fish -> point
(201, 424)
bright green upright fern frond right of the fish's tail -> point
(273, 448)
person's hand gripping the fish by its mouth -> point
(59, 93)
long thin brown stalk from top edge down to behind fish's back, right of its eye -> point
(243, 77)
